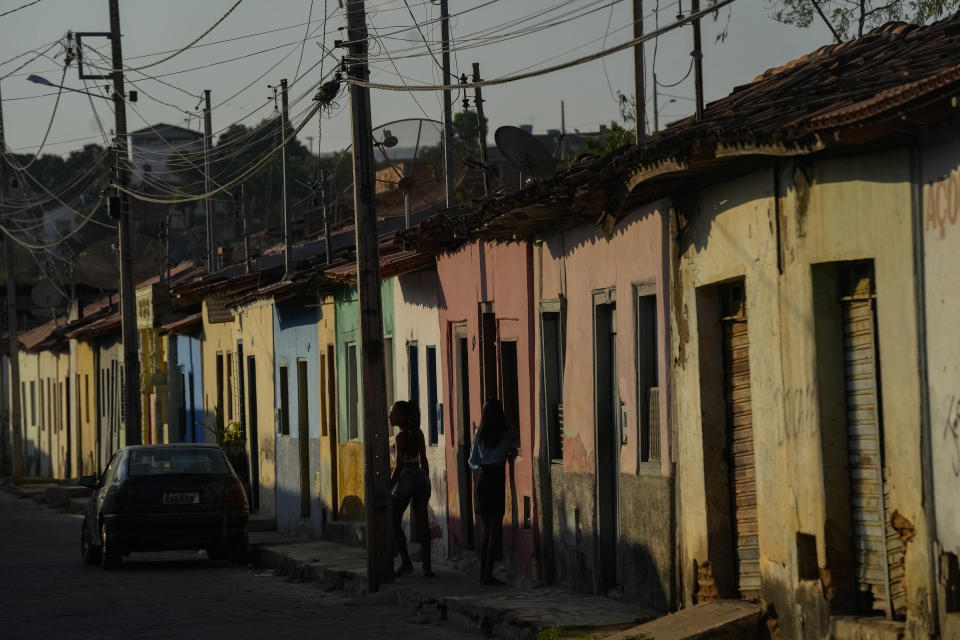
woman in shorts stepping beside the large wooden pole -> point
(411, 482)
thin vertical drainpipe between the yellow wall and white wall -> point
(926, 433)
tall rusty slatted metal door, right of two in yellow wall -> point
(877, 547)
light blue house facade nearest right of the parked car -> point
(295, 338)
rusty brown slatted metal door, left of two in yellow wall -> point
(739, 417)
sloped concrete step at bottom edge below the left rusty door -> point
(717, 620)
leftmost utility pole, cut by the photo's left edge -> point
(13, 334)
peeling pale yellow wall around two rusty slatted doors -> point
(828, 211)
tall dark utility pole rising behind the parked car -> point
(131, 360)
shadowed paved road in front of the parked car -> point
(47, 593)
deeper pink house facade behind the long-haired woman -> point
(502, 275)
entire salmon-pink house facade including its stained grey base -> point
(570, 267)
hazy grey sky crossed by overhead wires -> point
(495, 34)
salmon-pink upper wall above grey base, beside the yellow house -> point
(576, 263)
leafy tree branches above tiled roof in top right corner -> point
(852, 18)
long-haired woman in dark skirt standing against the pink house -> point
(492, 447)
